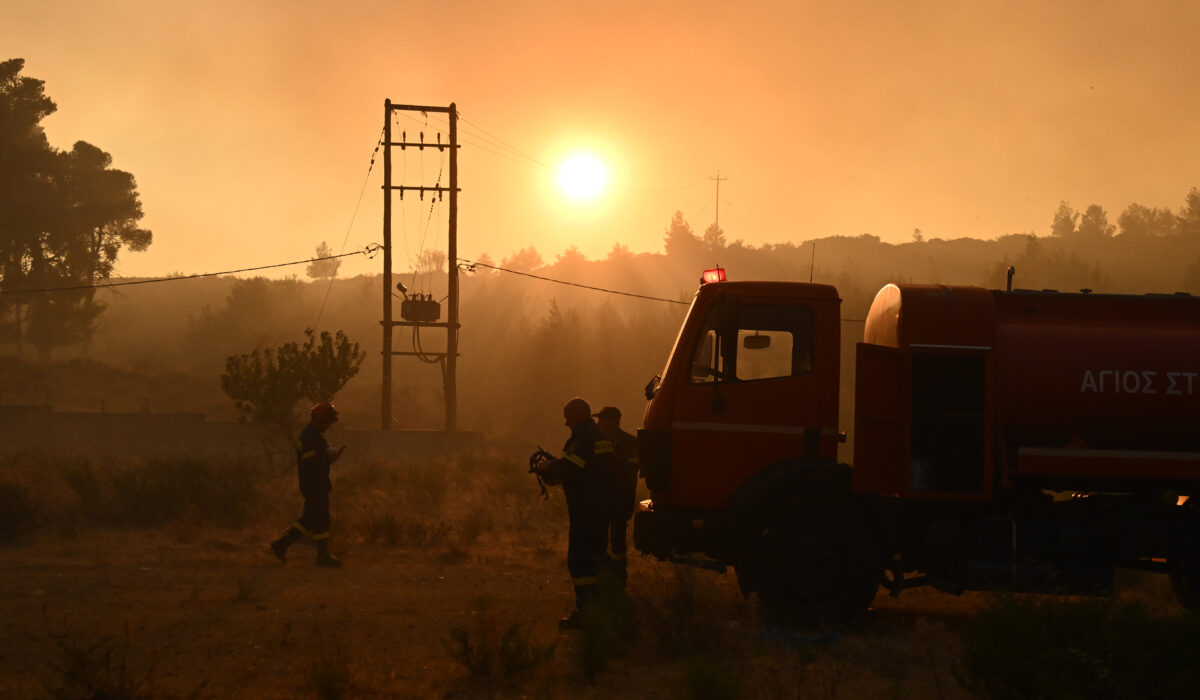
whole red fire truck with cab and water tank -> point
(1027, 441)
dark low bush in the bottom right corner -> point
(1091, 649)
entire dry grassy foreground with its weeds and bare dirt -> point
(152, 581)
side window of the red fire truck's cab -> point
(772, 342)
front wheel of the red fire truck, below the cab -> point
(812, 561)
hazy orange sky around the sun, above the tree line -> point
(250, 125)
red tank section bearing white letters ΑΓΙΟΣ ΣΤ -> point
(1099, 372)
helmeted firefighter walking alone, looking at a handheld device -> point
(314, 459)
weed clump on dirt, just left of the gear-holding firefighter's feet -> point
(495, 653)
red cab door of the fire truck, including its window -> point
(752, 398)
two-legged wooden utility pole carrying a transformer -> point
(449, 360)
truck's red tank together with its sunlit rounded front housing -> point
(1094, 372)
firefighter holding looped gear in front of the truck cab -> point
(586, 474)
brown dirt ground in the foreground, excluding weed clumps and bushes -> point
(215, 617)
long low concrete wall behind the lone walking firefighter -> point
(189, 435)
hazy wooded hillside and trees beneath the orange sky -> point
(526, 345)
